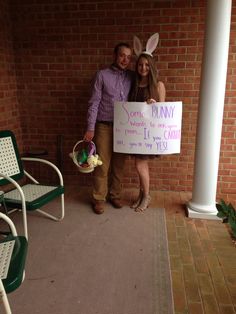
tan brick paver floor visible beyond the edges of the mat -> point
(202, 256)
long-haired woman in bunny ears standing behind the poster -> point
(146, 88)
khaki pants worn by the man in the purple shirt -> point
(108, 176)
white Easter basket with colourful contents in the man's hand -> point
(84, 156)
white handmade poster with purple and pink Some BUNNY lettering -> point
(153, 129)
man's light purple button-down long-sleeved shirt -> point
(110, 85)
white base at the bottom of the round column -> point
(201, 212)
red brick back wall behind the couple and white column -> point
(60, 44)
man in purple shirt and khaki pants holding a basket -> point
(111, 84)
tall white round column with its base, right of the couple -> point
(211, 107)
